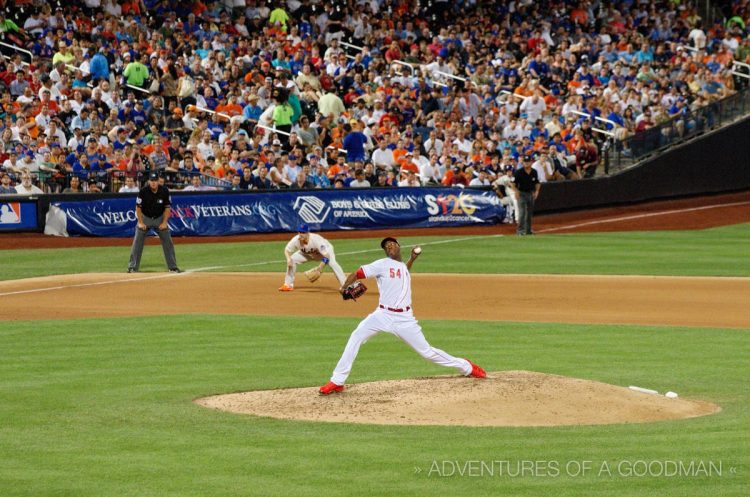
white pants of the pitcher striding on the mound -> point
(404, 326)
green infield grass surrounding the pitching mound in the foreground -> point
(103, 408)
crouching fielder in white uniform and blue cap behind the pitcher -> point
(304, 247)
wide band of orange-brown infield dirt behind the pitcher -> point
(644, 300)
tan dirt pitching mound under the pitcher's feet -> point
(509, 398)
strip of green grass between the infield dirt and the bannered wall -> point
(713, 252)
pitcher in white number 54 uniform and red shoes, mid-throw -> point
(393, 315)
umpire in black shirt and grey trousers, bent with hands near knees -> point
(152, 208)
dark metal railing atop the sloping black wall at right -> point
(677, 129)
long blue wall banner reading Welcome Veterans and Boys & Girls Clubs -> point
(215, 214)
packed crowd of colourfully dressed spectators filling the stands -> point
(381, 93)
